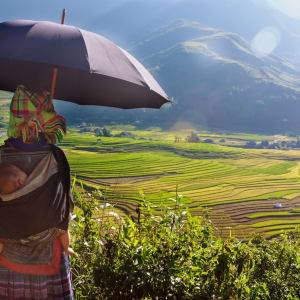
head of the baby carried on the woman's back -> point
(11, 178)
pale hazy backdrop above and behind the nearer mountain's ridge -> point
(129, 21)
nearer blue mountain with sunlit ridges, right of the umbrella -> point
(219, 81)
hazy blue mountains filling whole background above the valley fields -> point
(207, 65)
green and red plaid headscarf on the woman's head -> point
(32, 118)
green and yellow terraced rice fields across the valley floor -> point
(237, 187)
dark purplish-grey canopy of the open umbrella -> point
(92, 70)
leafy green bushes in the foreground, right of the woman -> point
(174, 255)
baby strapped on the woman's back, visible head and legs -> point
(11, 179)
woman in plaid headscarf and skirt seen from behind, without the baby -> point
(33, 264)
